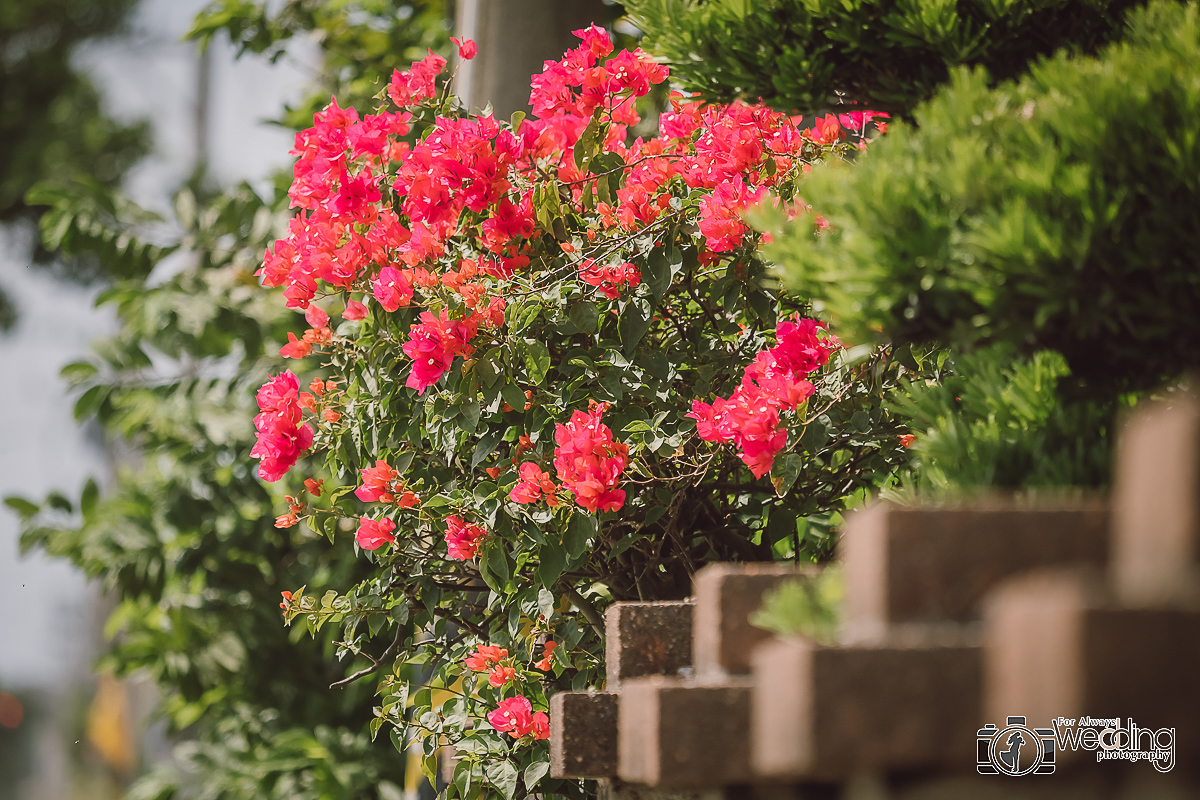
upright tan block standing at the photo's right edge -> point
(1156, 503)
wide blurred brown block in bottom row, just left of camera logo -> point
(829, 713)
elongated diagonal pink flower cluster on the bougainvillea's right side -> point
(773, 384)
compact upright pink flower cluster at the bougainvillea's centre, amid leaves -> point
(589, 461)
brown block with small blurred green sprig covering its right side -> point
(727, 596)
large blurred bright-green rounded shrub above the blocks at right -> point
(1058, 213)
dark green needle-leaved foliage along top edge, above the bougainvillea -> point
(812, 56)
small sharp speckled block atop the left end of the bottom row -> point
(647, 640)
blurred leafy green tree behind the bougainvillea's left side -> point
(185, 538)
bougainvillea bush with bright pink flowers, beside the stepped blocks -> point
(543, 370)
